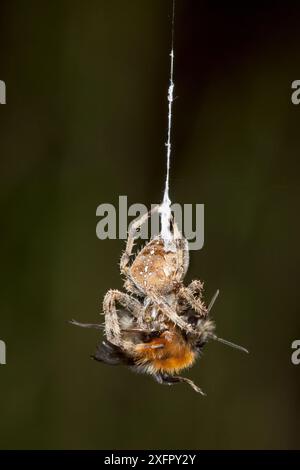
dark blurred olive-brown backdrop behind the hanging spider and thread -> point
(85, 122)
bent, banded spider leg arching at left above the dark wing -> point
(112, 321)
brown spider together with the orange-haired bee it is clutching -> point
(162, 324)
